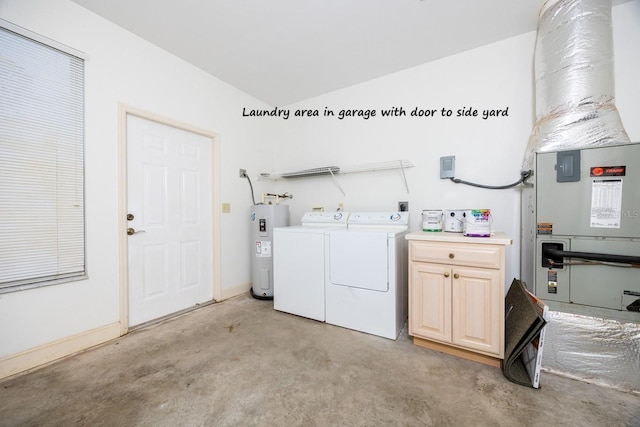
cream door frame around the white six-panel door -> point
(123, 112)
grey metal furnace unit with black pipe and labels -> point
(581, 230)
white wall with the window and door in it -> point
(122, 68)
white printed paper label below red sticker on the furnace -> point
(606, 203)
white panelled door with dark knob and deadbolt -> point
(170, 215)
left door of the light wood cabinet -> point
(430, 302)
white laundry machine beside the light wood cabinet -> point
(366, 284)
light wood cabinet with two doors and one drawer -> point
(456, 294)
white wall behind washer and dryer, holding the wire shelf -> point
(487, 151)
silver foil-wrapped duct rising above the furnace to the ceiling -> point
(574, 79)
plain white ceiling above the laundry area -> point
(284, 51)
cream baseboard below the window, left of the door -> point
(41, 355)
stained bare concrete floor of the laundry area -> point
(240, 363)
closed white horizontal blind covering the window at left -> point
(42, 237)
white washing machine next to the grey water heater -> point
(299, 263)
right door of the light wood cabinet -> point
(477, 311)
